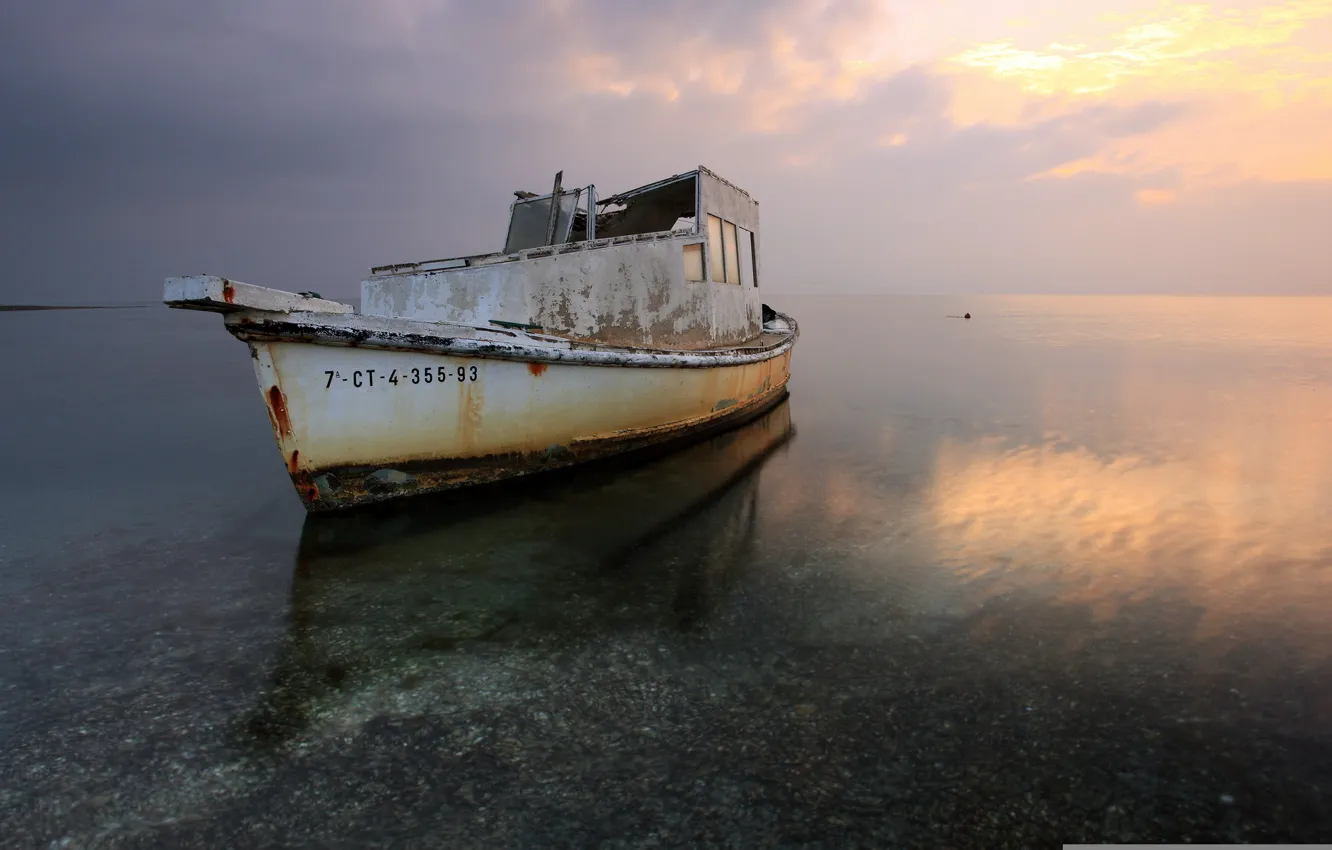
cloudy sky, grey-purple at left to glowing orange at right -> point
(952, 147)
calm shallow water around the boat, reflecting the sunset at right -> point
(1061, 574)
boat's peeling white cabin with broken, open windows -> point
(669, 266)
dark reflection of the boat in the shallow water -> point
(428, 607)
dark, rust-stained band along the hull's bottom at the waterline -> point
(348, 487)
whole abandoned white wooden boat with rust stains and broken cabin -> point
(604, 326)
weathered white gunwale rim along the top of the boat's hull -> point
(343, 331)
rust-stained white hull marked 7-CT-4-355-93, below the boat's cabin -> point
(363, 419)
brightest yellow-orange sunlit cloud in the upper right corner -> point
(1257, 81)
